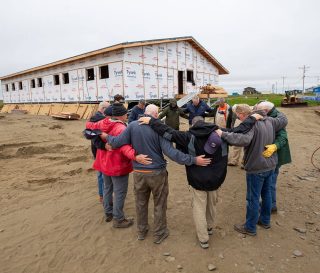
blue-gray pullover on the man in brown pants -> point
(146, 141)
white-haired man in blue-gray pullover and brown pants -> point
(154, 177)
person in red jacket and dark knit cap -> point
(116, 166)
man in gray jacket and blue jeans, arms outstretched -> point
(259, 169)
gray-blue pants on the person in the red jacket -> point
(118, 186)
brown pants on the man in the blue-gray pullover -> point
(144, 184)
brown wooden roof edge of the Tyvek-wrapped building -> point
(190, 39)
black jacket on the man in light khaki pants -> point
(192, 142)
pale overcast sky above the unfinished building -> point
(258, 41)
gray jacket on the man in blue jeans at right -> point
(262, 134)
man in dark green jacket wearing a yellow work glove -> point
(280, 146)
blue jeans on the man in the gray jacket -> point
(258, 184)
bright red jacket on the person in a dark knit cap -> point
(118, 161)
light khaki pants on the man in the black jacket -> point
(204, 211)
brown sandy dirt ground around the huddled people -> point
(51, 220)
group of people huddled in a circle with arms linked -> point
(140, 146)
